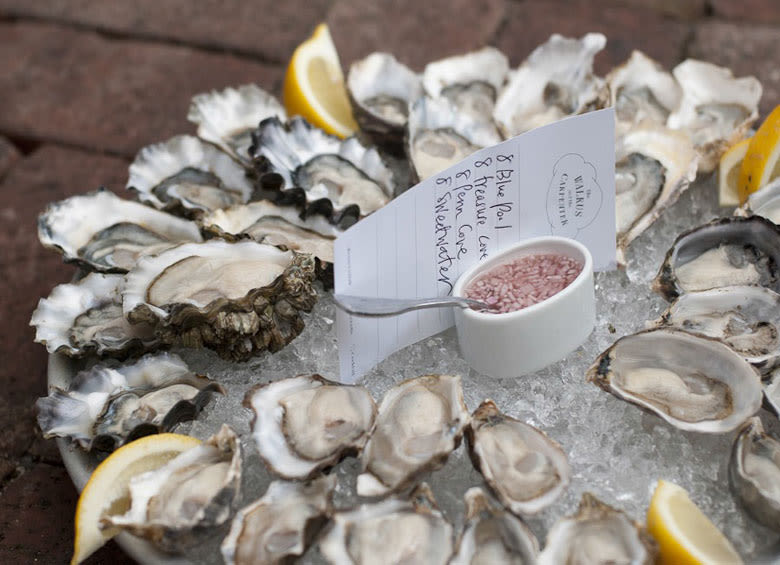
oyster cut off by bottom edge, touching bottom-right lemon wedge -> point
(598, 533)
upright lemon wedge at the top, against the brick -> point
(314, 85)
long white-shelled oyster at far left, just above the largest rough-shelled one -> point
(101, 232)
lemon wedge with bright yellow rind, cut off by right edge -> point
(762, 160)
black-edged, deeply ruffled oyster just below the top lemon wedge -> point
(337, 178)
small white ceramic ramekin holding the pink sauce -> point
(521, 342)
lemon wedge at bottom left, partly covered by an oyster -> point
(107, 488)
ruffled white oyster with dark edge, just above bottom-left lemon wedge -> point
(106, 406)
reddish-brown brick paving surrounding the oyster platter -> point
(86, 83)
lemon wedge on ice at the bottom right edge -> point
(684, 534)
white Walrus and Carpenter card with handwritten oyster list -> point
(555, 180)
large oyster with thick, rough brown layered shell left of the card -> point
(236, 298)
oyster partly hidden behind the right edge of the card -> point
(653, 167)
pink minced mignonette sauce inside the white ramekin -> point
(524, 281)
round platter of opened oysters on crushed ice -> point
(204, 307)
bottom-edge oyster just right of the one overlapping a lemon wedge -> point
(281, 525)
